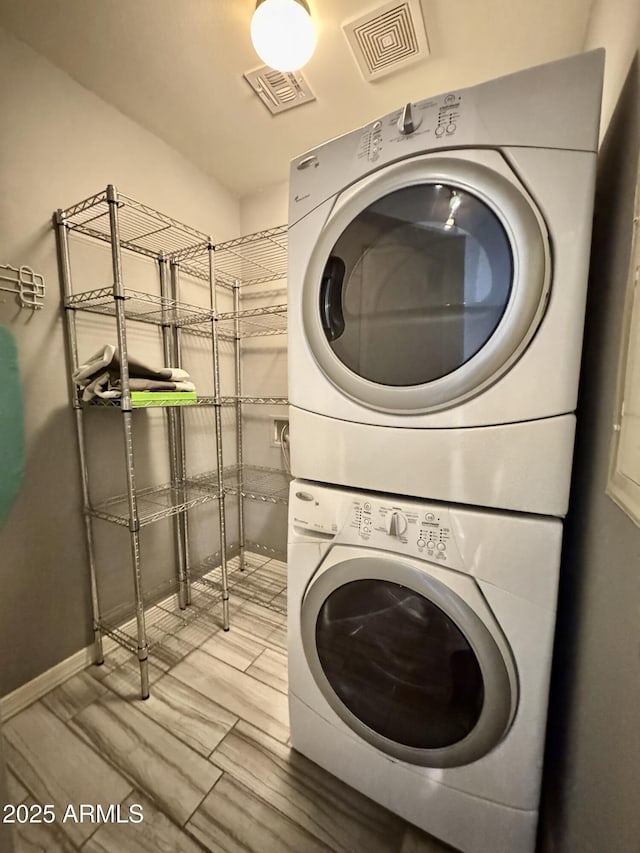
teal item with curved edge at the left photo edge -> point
(11, 423)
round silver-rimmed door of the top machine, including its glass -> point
(428, 280)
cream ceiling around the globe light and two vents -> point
(175, 67)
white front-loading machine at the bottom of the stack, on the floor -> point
(420, 642)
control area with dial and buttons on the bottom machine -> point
(407, 528)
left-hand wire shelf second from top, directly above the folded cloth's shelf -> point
(140, 306)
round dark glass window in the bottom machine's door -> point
(399, 664)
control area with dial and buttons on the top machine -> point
(433, 121)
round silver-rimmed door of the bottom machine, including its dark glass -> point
(406, 662)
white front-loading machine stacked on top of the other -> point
(438, 262)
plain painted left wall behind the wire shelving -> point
(59, 143)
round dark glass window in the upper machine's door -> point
(416, 285)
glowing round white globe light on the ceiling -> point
(282, 33)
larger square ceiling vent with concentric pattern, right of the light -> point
(388, 39)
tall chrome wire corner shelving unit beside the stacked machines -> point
(177, 250)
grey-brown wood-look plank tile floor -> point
(205, 758)
